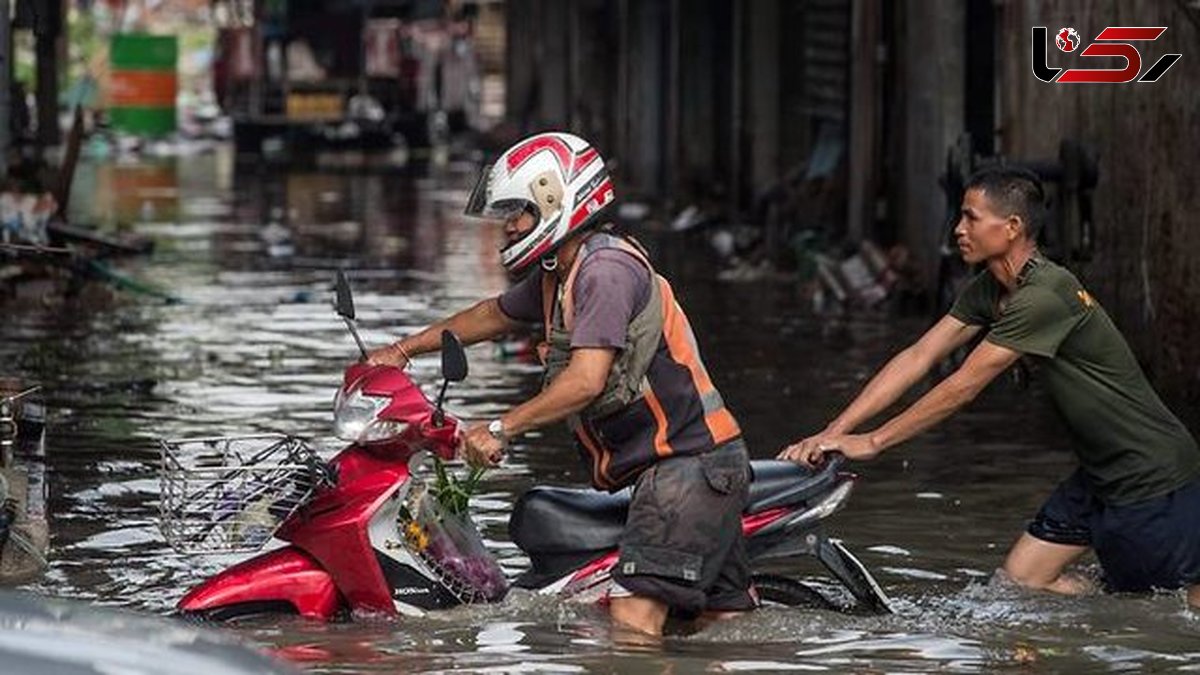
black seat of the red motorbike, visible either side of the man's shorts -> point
(556, 521)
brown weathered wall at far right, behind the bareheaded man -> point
(1145, 270)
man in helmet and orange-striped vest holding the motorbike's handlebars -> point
(623, 369)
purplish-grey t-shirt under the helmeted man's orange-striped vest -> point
(611, 289)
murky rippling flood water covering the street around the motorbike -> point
(255, 347)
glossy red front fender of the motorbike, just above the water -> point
(285, 575)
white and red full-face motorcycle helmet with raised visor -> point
(557, 177)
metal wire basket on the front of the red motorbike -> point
(232, 494)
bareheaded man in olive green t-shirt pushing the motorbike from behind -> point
(1136, 499)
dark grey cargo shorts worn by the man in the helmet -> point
(683, 541)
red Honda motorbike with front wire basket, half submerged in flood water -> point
(355, 542)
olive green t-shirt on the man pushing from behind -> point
(1130, 446)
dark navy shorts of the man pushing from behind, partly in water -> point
(1144, 546)
